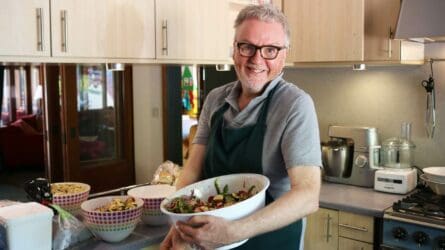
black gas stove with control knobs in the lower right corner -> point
(415, 222)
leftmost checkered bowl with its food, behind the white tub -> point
(69, 195)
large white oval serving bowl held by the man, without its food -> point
(235, 182)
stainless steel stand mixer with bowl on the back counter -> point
(351, 155)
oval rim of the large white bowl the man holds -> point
(174, 195)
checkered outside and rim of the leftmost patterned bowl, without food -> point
(71, 202)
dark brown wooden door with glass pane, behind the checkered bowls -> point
(94, 108)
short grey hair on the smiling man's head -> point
(265, 13)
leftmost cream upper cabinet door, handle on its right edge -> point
(24, 28)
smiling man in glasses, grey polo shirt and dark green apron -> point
(259, 124)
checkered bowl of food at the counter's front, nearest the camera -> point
(111, 226)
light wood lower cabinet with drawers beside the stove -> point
(332, 229)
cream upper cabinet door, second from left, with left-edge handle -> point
(103, 28)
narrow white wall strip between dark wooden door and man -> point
(147, 101)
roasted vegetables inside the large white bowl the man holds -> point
(193, 204)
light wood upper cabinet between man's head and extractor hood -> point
(347, 31)
